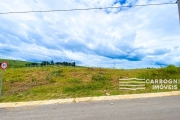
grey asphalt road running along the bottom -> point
(160, 108)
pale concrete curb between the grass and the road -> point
(86, 99)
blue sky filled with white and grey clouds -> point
(135, 37)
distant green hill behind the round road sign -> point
(15, 63)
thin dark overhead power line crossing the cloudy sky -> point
(83, 9)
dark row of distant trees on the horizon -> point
(45, 63)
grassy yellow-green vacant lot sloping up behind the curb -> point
(52, 82)
